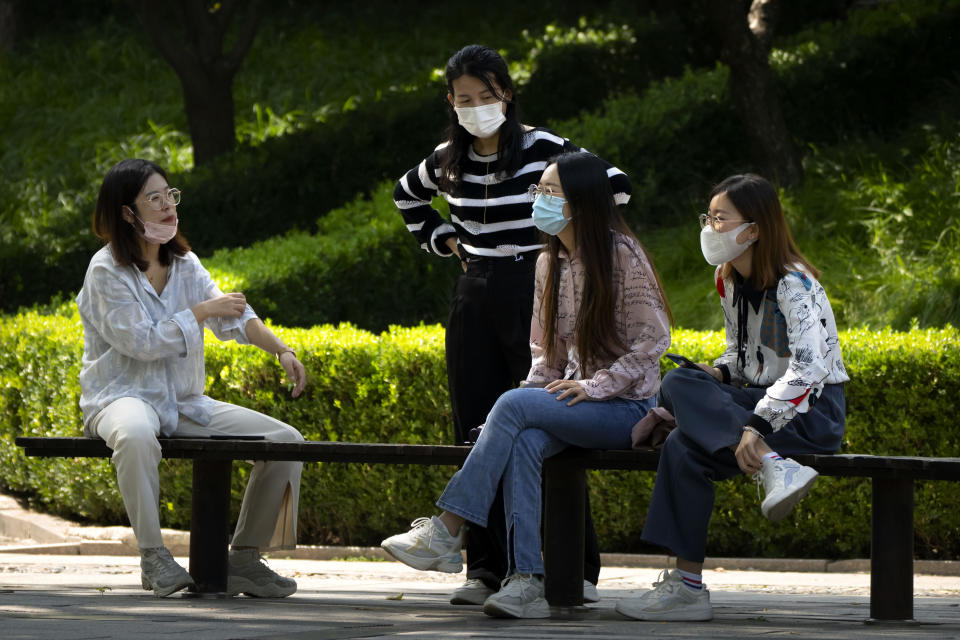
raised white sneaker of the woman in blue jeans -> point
(428, 546)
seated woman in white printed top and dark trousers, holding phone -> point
(776, 390)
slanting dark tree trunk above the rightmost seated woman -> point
(745, 50)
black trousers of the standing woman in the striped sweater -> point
(488, 353)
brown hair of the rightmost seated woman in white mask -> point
(774, 253)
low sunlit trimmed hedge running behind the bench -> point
(392, 388)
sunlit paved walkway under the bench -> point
(94, 593)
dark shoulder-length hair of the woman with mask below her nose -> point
(120, 188)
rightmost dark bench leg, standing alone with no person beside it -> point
(891, 556)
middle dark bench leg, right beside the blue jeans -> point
(563, 536)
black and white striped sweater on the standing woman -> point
(490, 217)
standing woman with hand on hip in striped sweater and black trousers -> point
(483, 169)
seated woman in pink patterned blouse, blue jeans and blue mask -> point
(600, 324)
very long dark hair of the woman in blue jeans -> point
(586, 188)
